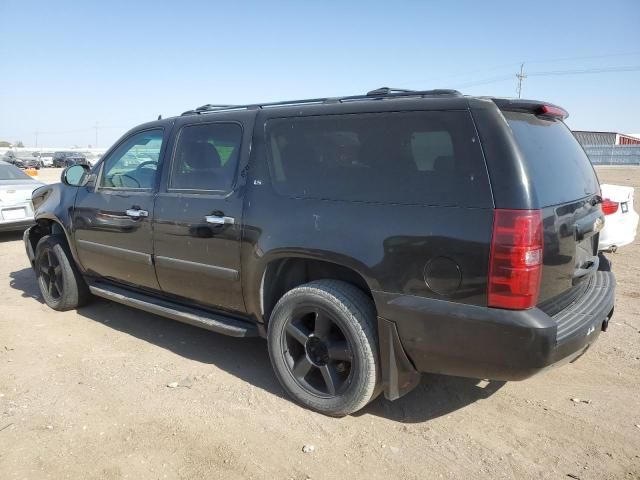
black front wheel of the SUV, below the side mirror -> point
(60, 282)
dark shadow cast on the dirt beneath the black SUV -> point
(248, 359)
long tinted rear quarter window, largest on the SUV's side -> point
(424, 158)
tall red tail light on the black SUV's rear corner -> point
(515, 265)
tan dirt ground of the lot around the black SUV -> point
(83, 394)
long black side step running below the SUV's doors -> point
(199, 318)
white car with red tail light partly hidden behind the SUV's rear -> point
(621, 220)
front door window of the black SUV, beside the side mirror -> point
(134, 163)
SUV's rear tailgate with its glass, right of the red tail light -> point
(566, 189)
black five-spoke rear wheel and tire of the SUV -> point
(323, 346)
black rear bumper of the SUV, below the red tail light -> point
(479, 342)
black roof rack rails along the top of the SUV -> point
(377, 94)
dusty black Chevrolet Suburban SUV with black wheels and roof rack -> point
(367, 238)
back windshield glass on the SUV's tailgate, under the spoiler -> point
(561, 171)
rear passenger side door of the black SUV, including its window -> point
(198, 213)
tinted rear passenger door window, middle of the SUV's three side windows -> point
(206, 157)
